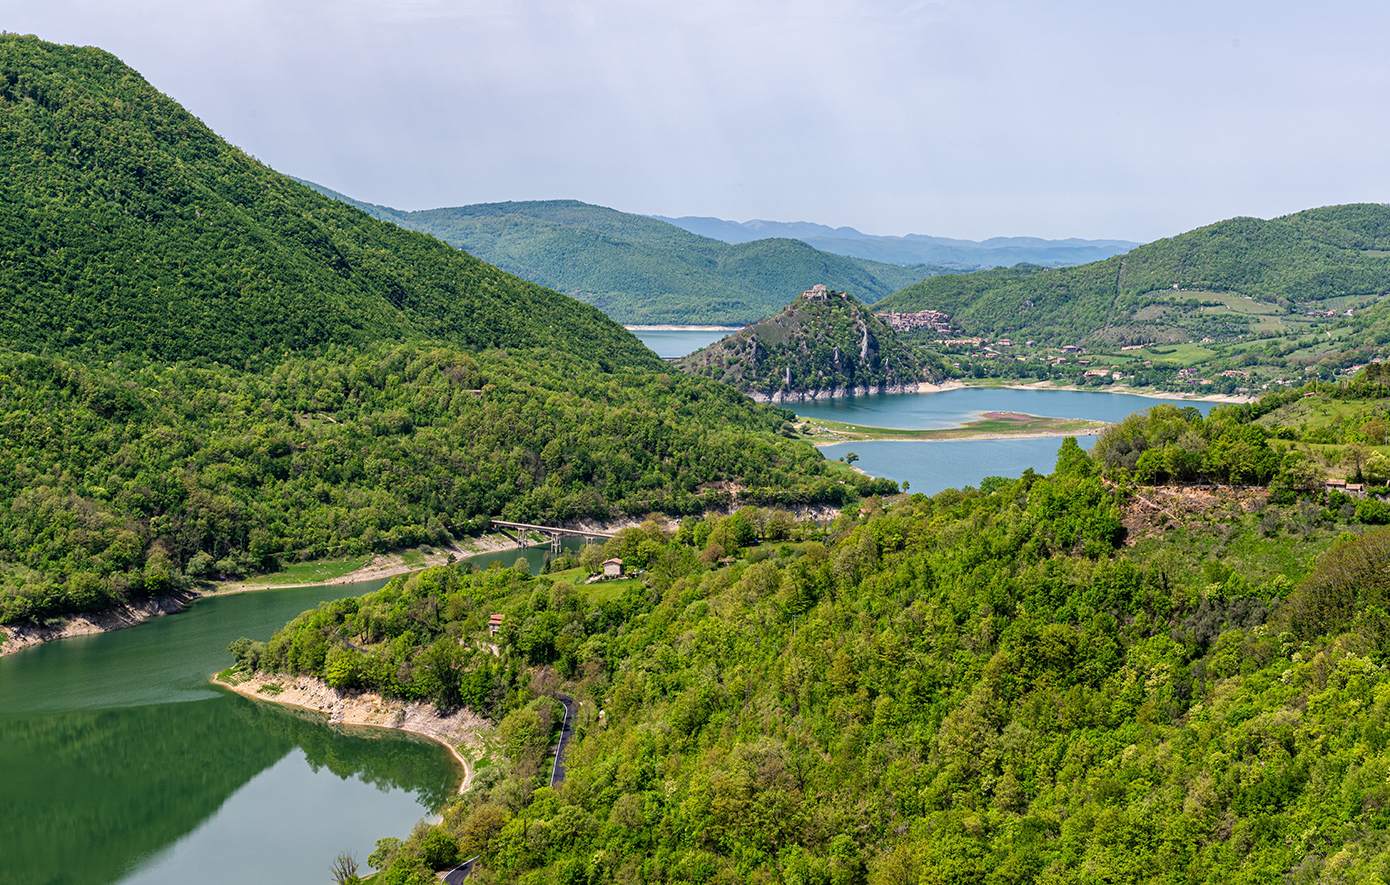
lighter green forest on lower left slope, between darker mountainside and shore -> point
(126, 483)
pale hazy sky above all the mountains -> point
(964, 119)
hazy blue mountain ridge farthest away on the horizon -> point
(914, 248)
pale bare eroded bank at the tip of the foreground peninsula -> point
(370, 709)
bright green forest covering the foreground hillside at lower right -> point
(1028, 681)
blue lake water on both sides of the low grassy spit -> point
(932, 466)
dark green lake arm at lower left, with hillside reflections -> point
(122, 763)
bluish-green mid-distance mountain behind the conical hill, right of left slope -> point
(640, 270)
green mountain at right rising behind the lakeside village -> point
(1228, 280)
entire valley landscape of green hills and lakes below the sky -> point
(1029, 627)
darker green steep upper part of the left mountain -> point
(127, 227)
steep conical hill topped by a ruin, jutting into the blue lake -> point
(825, 345)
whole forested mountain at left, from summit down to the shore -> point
(208, 369)
